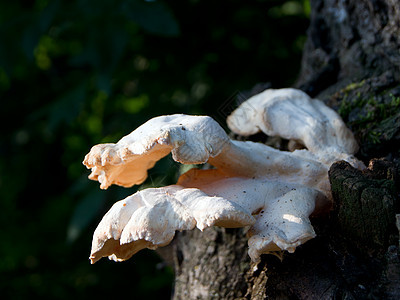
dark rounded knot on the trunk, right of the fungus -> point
(366, 203)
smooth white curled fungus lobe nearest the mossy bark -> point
(293, 115)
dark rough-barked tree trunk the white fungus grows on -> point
(351, 61)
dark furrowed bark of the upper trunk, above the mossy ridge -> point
(349, 41)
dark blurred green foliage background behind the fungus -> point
(78, 73)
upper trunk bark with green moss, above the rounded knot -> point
(352, 62)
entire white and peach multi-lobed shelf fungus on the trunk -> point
(273, 192)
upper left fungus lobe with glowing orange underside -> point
(192, 140)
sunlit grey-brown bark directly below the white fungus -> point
(212, 269)
